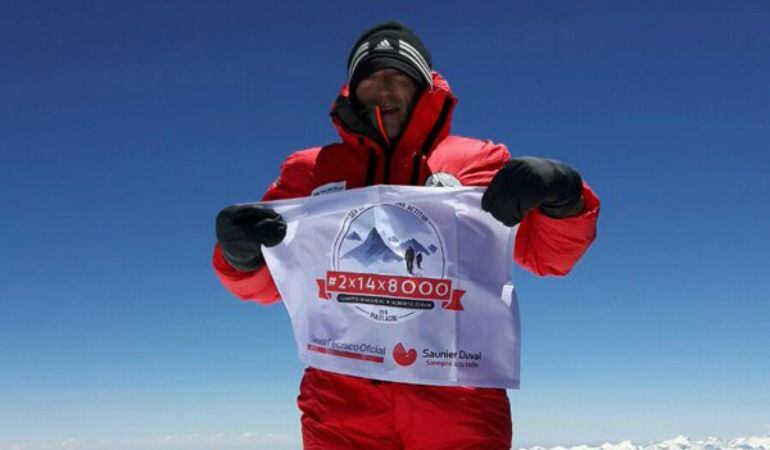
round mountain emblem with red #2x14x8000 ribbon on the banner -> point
(388, 263)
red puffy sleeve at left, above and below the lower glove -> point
(296, 180)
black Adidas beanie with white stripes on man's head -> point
(389, 45)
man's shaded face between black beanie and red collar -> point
(391, 90)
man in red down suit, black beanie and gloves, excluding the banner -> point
(393, 117)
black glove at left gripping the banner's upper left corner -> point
(243, 230)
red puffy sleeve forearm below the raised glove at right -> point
(548, 246)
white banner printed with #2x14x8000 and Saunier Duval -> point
(400, 283)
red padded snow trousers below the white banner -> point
(341, 412)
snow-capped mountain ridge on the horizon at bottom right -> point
(677, 443)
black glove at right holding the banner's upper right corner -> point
(525, 183)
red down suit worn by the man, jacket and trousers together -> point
(342, 412)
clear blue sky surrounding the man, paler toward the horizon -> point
(125, 127)
